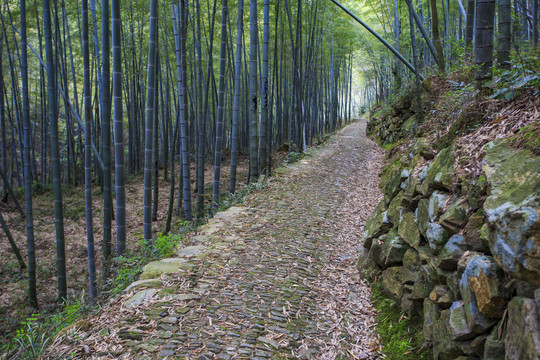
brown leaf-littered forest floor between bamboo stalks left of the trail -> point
(13, 280)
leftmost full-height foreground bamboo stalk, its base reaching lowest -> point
(32, 287)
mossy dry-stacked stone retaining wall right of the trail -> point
(468, 265)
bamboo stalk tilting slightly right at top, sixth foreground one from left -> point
(150, 98)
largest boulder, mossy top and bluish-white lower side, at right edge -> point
(513, 209)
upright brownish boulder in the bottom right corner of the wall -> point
(523, 331)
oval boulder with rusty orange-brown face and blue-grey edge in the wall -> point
(482, 292)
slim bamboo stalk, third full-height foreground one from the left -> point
(88, 154)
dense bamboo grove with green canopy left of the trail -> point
(91, 93)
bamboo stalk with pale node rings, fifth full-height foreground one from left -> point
(119, 165)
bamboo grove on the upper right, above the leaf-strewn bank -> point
(440, 36)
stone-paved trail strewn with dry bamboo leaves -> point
(273, 279)
